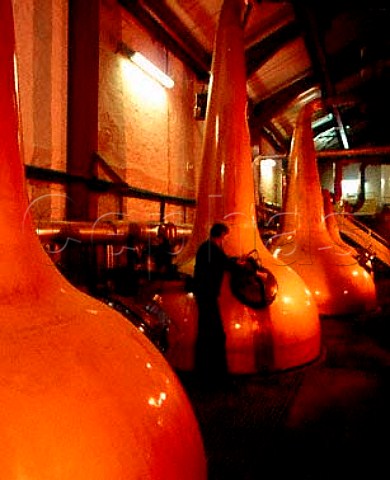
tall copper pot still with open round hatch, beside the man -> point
(286, 333)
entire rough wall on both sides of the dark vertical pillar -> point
(149, 137)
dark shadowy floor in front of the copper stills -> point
(327, 420)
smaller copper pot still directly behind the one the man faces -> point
(338, 283)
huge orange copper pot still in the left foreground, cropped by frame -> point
(83, 393)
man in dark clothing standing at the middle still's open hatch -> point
(211, 262)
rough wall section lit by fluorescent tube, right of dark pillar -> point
(146, 133)
